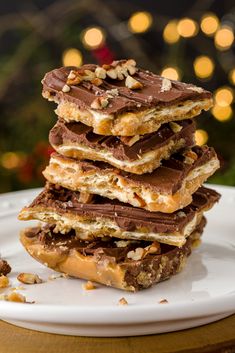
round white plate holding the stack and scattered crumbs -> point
(204, 292)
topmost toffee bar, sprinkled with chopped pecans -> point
(121, 99)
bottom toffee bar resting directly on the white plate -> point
(121, 264)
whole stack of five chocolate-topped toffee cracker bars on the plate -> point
(124, 203)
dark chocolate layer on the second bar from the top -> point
(66, 133)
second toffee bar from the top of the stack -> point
(137, 154)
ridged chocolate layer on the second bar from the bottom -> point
(129, 218)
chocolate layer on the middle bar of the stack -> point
(167, 179)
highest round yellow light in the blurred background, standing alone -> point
(140, 22)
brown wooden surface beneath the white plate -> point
(218, 337)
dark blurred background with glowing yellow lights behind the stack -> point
(184, 40)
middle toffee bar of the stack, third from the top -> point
(167, 189)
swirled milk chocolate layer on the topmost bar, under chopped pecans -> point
(150, 95)
